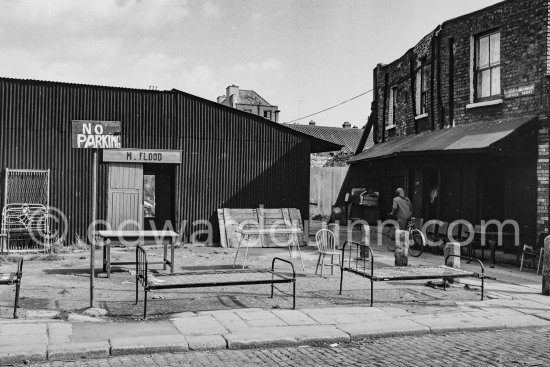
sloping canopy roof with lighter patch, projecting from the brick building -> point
(467, 138)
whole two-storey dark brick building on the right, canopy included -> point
(460, 120)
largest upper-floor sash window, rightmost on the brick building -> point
(487, 66)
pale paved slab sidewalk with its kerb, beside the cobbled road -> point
(248, 328)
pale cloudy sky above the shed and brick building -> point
(301, 55)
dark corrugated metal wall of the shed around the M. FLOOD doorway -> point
(230, 159)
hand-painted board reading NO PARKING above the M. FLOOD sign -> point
(96, 134)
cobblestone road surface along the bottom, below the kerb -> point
(523, 347)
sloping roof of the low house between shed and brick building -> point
(347, 137)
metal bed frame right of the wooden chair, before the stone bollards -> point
(393, 273)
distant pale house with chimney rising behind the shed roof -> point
(249, 101)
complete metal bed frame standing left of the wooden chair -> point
(148, 280)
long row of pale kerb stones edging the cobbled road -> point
(249, 338)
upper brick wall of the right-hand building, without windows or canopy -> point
(447, 53)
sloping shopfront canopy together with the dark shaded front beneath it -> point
(477, 171)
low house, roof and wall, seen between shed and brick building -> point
(346, 136)
